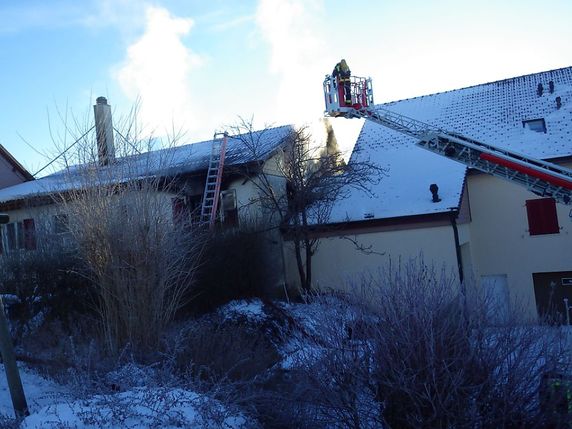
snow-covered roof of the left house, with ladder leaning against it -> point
(173, 161)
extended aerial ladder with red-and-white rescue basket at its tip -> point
(540, 177)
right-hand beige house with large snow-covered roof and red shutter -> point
(490, 232)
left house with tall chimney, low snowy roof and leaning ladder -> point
(32, 206)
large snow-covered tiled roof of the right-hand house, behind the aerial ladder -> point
(492, 113)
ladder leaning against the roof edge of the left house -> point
(214, 178)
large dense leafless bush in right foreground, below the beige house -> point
(440, 363)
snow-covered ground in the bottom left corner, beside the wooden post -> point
(51, 406)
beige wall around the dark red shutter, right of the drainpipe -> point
(500, 243)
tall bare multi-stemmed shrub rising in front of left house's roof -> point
(140, 259)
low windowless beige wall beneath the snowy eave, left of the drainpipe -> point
(338, 260)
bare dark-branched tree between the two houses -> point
(299, 186)
